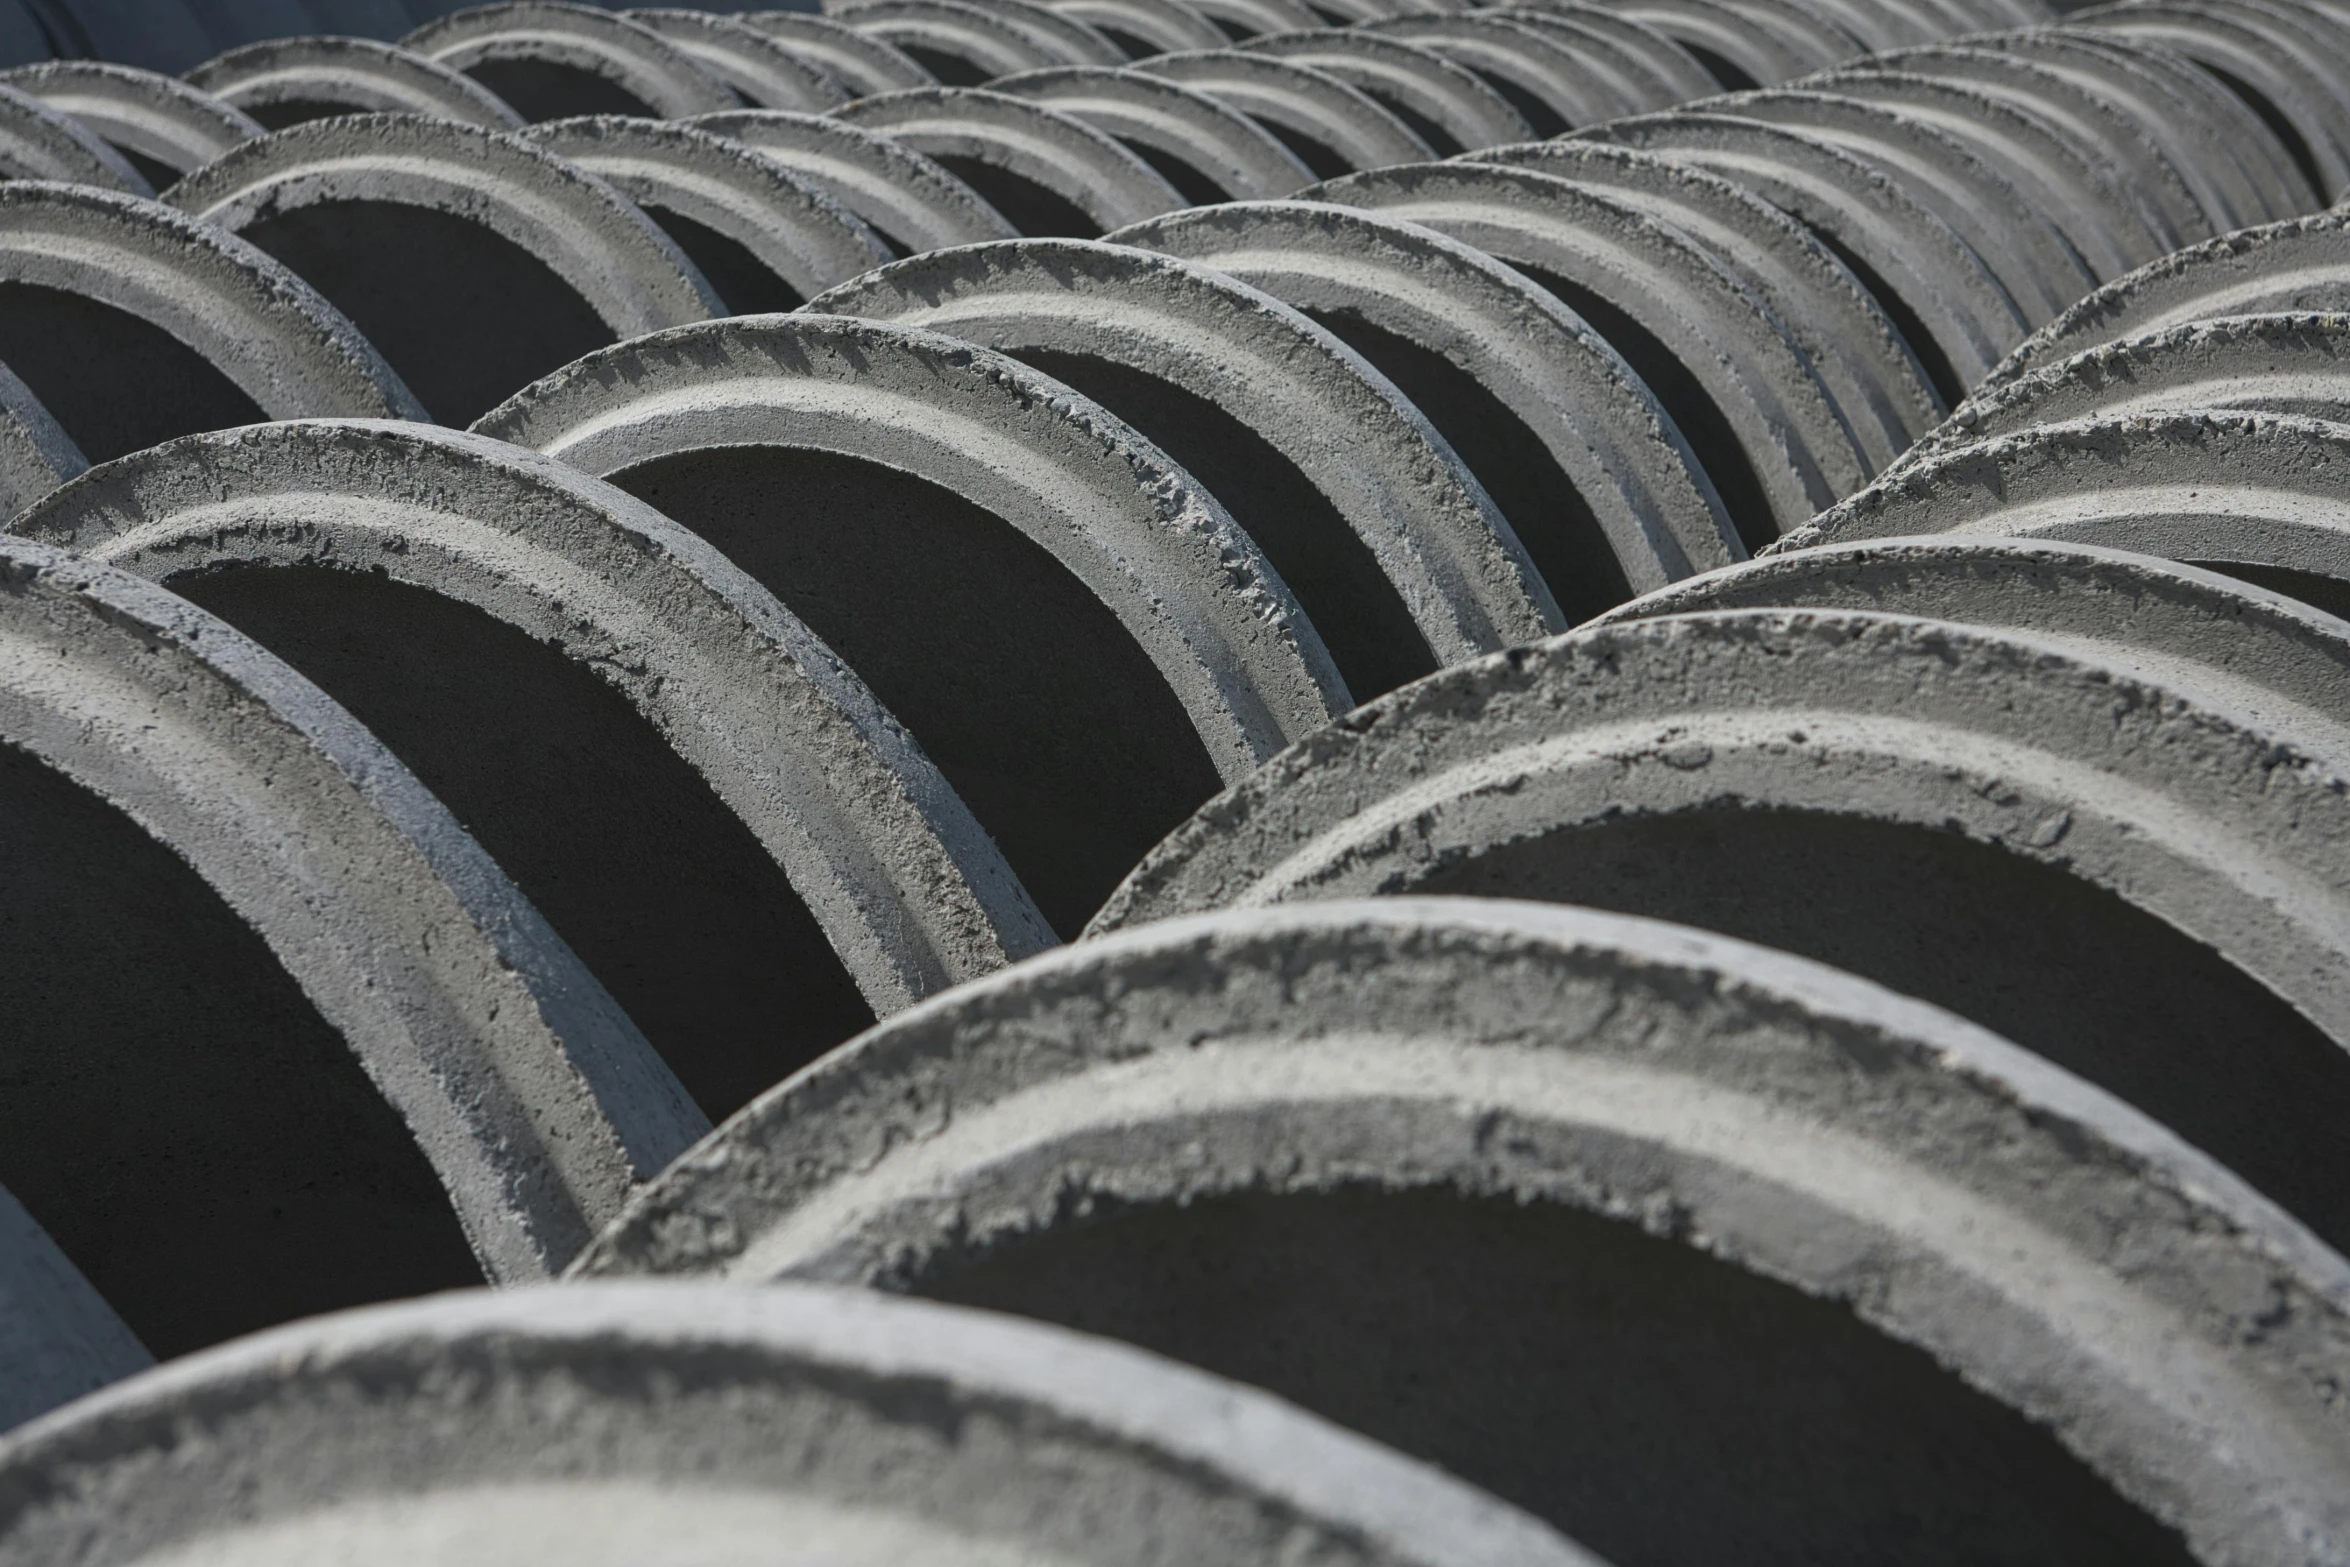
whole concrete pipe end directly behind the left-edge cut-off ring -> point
(906, 892)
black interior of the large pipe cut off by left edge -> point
(173, 1108)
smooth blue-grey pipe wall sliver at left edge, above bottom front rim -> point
(58, 1336)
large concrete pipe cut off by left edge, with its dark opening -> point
(302, 1040)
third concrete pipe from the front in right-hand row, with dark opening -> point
(2104, 861)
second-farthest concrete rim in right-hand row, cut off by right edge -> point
(2252, 363)
